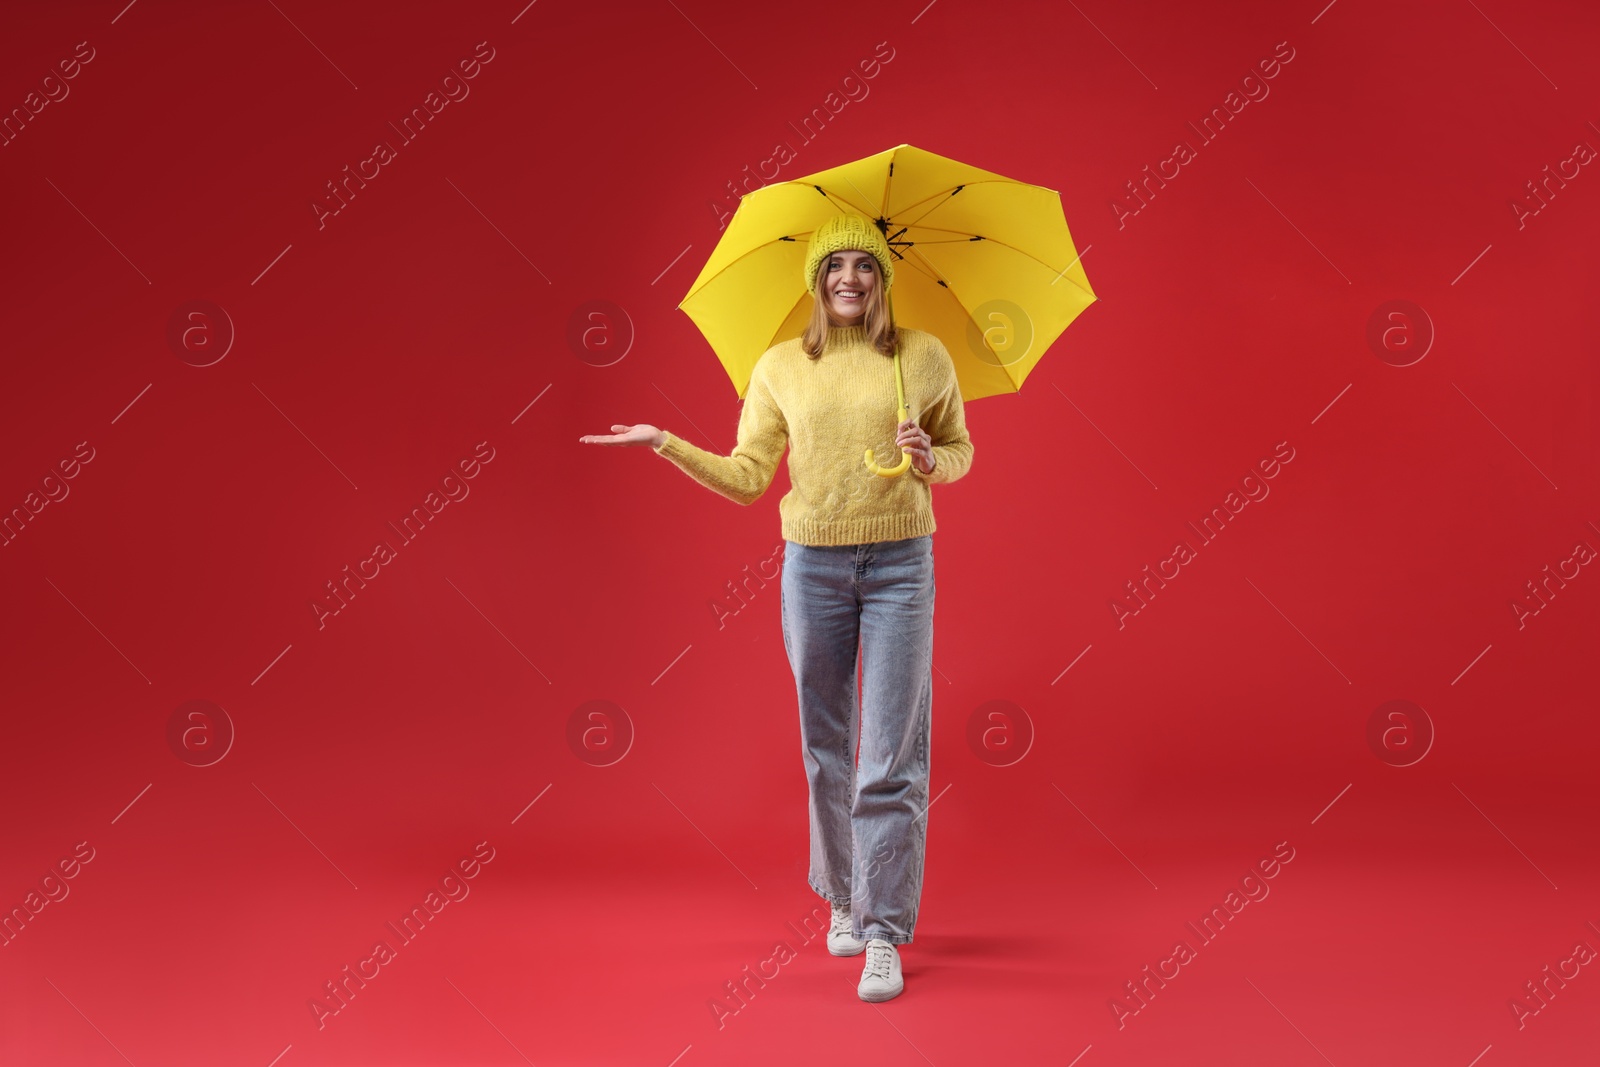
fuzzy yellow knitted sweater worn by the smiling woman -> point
(830, 412)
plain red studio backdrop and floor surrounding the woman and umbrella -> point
(433, 314)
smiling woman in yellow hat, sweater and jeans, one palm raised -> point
(858, 569)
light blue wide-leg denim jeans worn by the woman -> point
(870, 825)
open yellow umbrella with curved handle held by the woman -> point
(982, 262)
